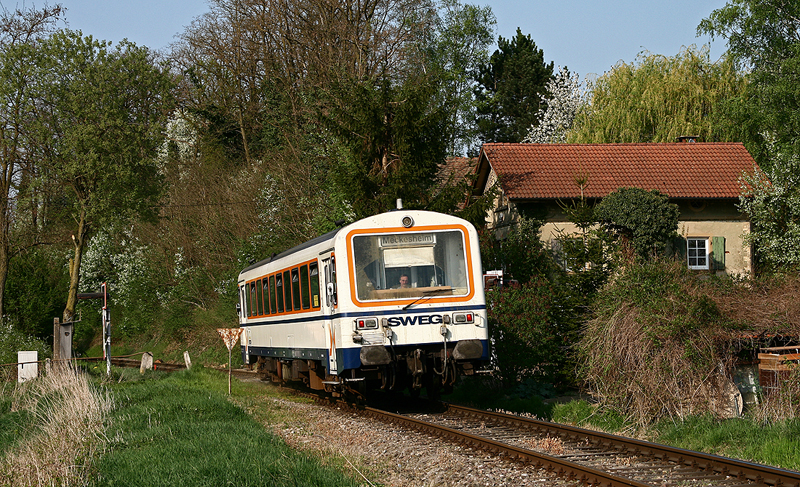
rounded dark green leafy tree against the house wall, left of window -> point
(641, 222)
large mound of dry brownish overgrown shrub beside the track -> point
(656, 346)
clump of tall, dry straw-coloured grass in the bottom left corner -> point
(59, 419)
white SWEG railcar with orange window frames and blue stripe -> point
(391, 302)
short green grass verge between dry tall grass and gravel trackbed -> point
(180, 429)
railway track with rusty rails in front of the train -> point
(587, 456)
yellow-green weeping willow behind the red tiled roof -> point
(659, 98)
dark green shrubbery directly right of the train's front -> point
(534, 320)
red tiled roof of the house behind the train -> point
(680, 170)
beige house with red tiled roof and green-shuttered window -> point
(703, 179)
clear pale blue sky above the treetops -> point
(587, 36)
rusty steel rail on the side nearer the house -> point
(753, 472)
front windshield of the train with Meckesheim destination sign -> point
(407, 265)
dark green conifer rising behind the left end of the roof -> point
(509, 90)
